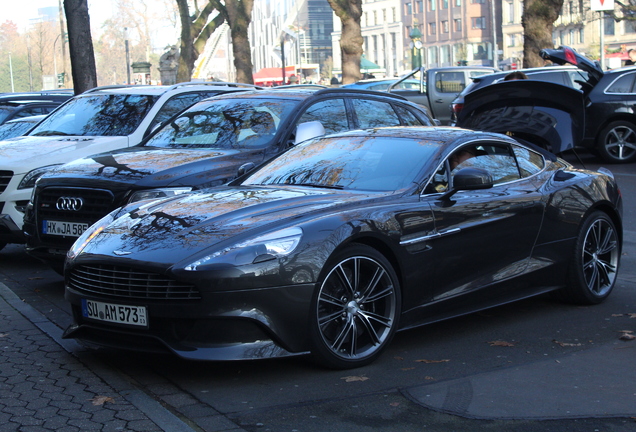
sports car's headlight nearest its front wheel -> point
(263, 248)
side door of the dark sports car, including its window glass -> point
(484, 236)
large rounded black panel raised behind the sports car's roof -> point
(533, 110)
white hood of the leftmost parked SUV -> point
(25, 153)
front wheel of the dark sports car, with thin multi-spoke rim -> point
(355, 308)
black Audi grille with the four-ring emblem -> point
(96, 203)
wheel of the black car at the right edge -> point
(617, 142)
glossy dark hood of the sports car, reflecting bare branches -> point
(169, 231)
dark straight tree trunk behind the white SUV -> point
(80, 45)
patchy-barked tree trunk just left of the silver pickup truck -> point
(349, 12)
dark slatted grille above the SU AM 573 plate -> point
(124, 282)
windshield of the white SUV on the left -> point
(97, 115)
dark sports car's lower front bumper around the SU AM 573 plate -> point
(232, 325)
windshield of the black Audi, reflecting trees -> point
(225, 124)
